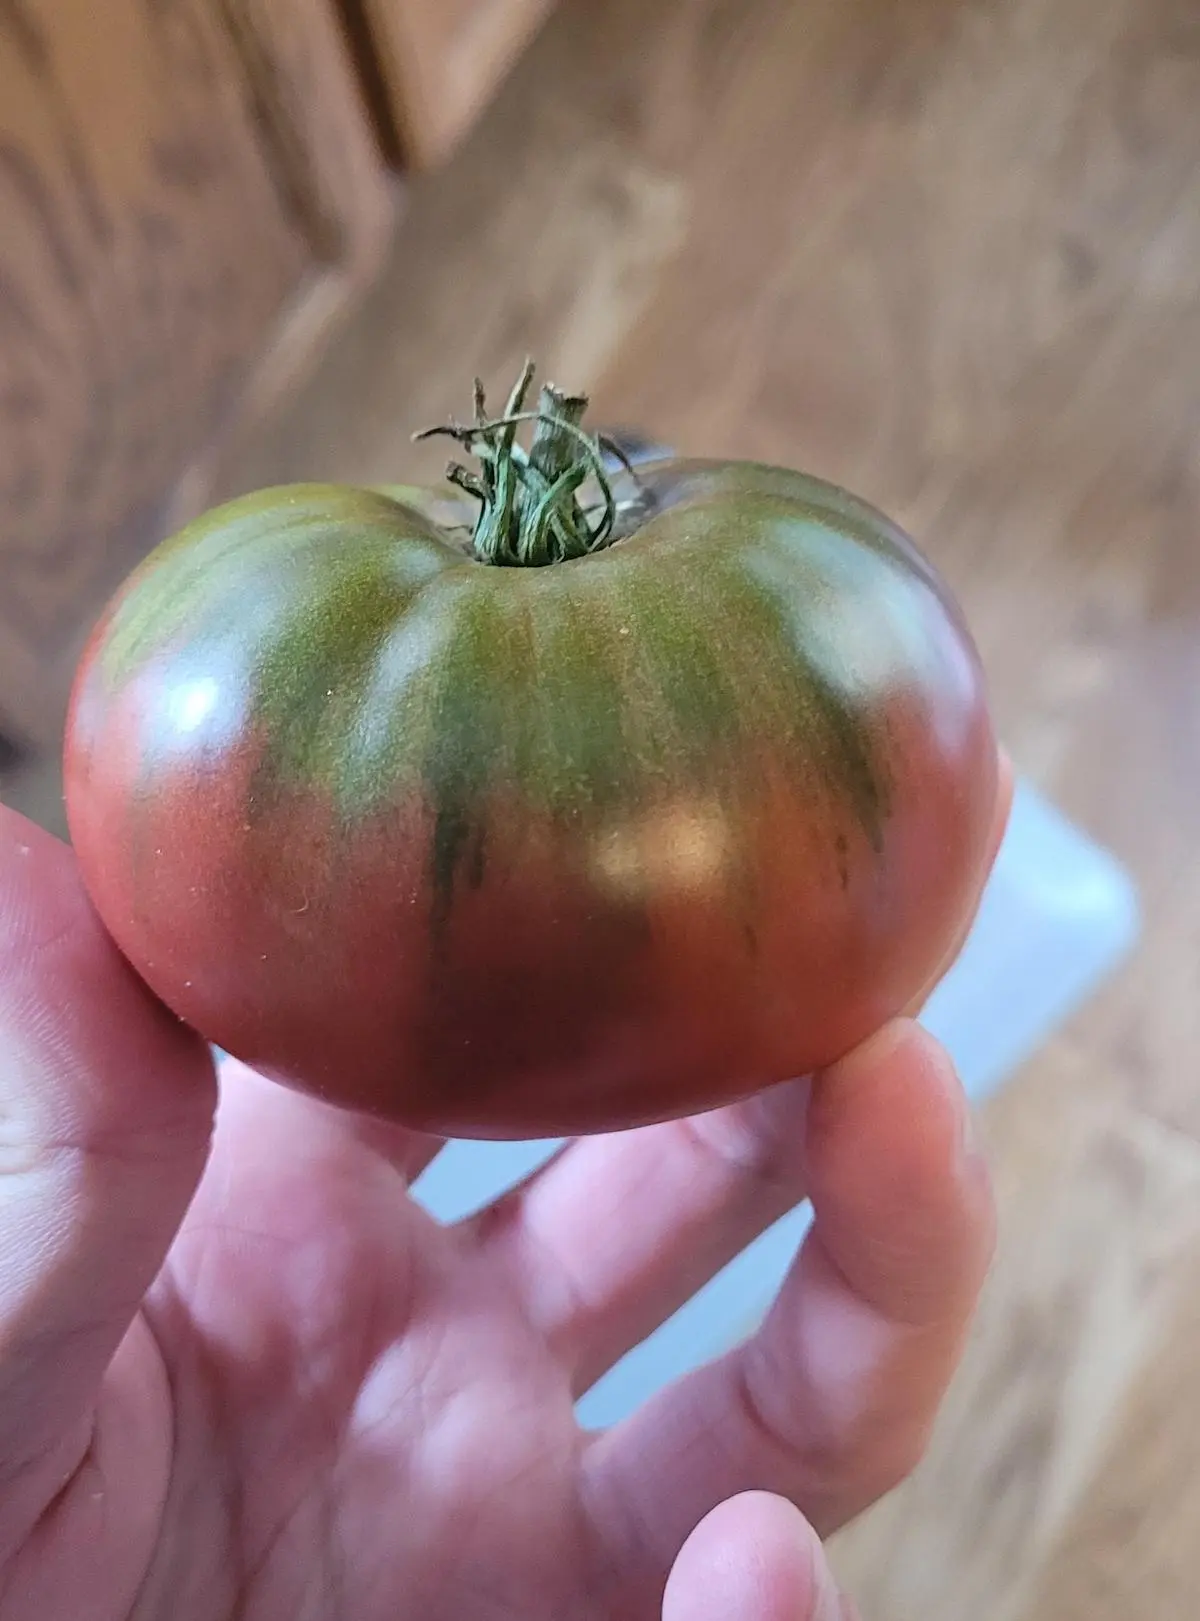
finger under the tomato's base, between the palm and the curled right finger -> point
(617, 1233)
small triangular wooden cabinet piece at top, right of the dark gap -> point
(440, 61)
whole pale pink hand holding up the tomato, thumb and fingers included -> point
(244, 1375)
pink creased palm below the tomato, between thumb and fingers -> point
(400, 1439)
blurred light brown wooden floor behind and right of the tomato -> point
(945, 252)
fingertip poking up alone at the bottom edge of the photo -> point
(753, 1559)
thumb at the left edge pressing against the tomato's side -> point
(106, 1111)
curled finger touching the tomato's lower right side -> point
(831, 1403)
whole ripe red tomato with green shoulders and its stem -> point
(499, 818)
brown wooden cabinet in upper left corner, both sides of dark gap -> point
(191, 195)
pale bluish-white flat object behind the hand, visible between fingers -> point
(1058, 917)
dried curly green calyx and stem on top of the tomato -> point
(531, 510)
